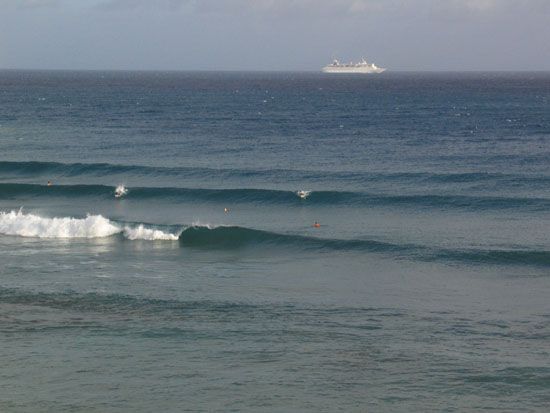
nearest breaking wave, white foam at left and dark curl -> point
(208, 237)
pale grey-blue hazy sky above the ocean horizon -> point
(274, 34)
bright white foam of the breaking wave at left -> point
(93, 226)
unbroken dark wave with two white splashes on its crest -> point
(269, 196)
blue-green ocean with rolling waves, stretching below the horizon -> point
(206, 286)
